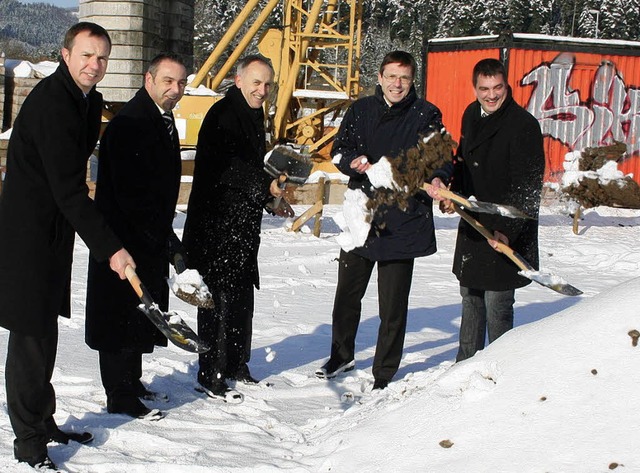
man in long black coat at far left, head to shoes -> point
(43, 203)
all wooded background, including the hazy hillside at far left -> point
(397, 24)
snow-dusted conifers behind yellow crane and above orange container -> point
(407, 24)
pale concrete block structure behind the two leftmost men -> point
(139, 30)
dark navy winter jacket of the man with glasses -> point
(372, 128)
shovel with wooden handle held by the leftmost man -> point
(170, 324)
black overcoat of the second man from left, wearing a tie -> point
(137, 189)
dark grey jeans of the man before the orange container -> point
(489, 312)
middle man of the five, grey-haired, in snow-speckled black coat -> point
(222, 231)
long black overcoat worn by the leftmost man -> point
(45, 201)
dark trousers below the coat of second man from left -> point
(121, 372)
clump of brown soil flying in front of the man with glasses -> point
(415, 166)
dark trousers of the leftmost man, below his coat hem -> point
(31, 399)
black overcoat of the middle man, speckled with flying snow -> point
(229, 191)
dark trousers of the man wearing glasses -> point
(394, 284)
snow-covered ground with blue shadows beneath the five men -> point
(557, 394)
